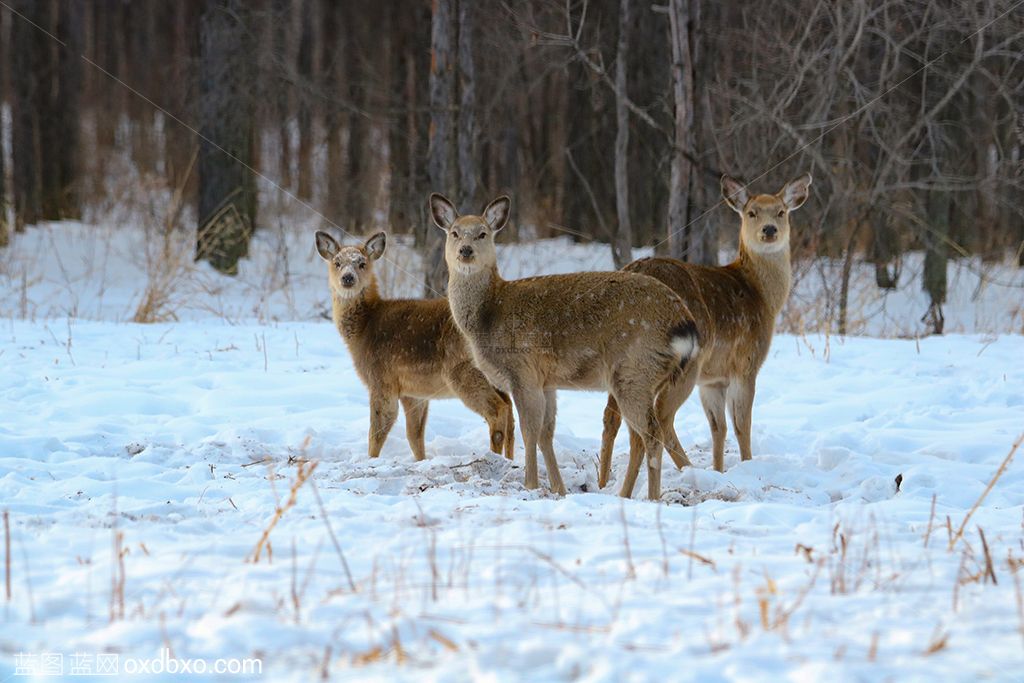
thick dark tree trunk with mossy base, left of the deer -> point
(228, 193)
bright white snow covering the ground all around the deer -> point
(185, 437)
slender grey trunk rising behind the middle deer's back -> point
(622, 245)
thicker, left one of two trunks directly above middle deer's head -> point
(441, 157)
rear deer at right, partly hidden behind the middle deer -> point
(736, 309)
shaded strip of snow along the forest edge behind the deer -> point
(105, 272)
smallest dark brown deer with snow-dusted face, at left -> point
(406, 351)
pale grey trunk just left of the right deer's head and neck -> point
(684, 243)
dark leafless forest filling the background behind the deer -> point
(617, 114)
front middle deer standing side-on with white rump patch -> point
(623, 333)
